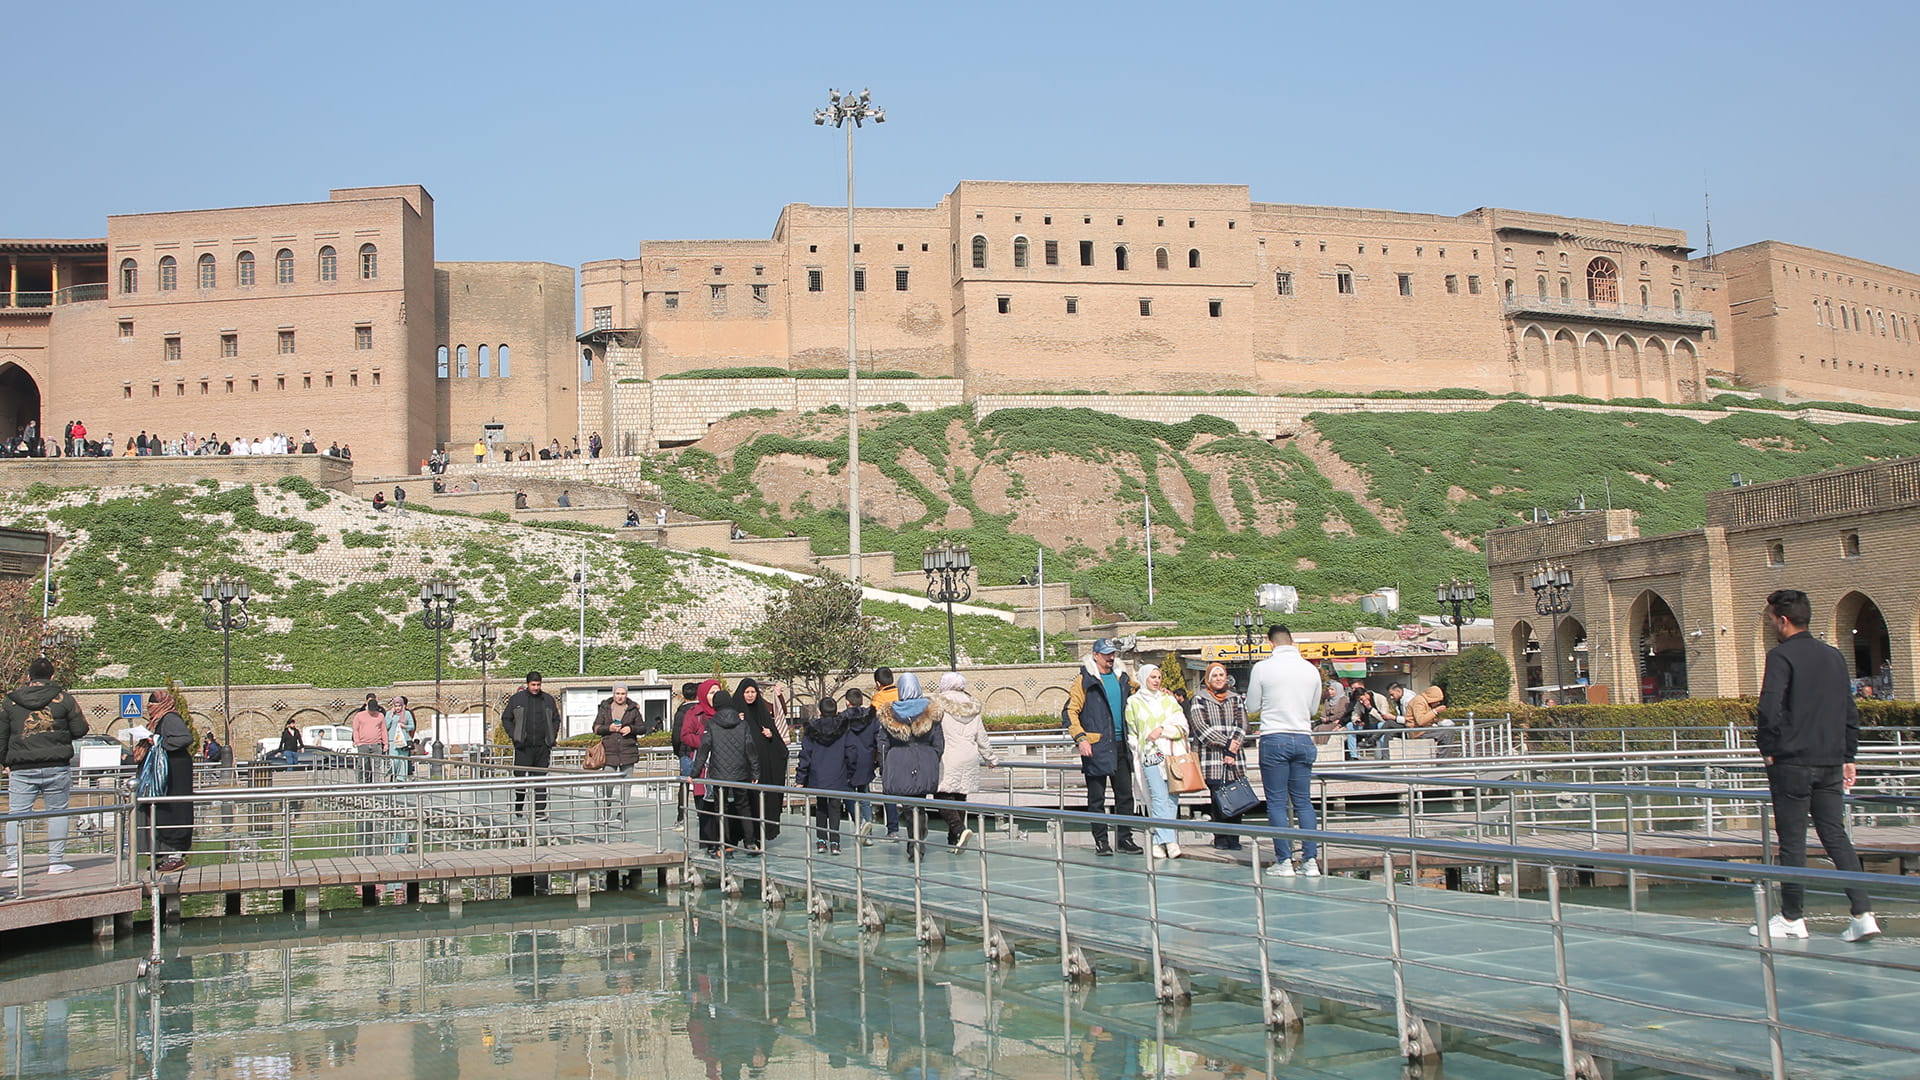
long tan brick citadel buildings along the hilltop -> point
(335, 316)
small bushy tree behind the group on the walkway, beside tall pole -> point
(815, 637)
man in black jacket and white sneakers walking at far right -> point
(1810, 733)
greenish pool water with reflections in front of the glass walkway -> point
(638, 989)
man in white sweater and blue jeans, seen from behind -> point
(1284, 695)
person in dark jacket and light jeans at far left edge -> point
(39, 727)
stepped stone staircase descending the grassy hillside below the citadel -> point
(600, 503)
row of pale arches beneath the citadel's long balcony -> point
(1608, 368)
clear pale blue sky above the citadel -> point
(575, 132)
